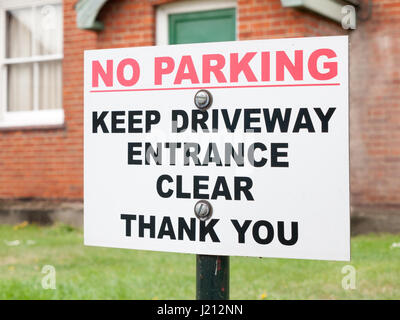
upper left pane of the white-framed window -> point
(19, 33)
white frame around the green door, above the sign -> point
(163, 11)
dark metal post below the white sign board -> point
(212, 277)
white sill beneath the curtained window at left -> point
(32, 119)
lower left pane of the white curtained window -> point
(20, 87)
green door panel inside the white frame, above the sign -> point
(202, 26)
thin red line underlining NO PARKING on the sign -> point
(223, 87)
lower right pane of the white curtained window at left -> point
(50, 85)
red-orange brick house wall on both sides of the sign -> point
(49, 163)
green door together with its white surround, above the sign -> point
(196, 21)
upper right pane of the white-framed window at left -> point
(48, 37)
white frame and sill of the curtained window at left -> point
(34, 118)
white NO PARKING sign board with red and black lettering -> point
(271, 155)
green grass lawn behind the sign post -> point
(102, 273)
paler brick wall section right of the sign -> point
(375, 108)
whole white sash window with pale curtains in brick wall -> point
(31, 53)
